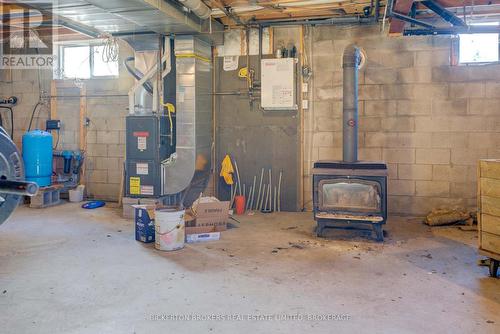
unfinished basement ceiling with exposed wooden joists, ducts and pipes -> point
(142, 15)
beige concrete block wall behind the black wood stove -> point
(428, 120)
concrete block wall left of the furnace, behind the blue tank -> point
(106, 132)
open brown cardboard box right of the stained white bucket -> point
(207, 215)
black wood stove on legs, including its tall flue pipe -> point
(350, 192)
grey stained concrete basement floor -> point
(69, 270)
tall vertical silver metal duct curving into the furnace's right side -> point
(190, 168)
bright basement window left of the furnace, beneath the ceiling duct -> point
(85, 62)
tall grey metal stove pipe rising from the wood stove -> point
(350, 63)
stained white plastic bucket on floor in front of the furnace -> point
(169, 229)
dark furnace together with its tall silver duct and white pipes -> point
(169, 151)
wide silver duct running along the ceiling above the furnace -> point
(125, 17)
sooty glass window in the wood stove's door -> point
(350, 195)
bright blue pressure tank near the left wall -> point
(37, 157)
